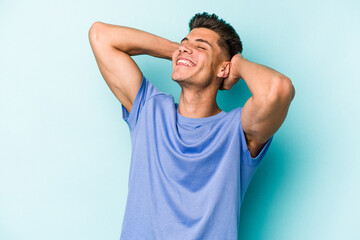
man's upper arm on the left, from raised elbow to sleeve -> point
(118, 69)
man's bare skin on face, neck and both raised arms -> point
(262, 114)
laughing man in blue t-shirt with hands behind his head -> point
(191, 162)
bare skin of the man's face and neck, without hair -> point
(200, 83)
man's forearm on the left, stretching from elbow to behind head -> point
(133, 41)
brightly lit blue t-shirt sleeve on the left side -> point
(146, 90)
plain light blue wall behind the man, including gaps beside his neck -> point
(65, 150)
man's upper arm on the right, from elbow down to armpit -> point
(262, 118)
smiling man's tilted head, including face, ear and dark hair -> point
(205, 53)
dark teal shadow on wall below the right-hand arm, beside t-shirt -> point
(265, 189)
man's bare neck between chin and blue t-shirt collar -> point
(198, 105)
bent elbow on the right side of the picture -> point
(282, 89)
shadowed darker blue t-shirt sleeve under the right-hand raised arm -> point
(249, 164)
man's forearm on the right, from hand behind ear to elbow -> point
(262, 81)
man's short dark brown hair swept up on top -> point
(229, 39)
